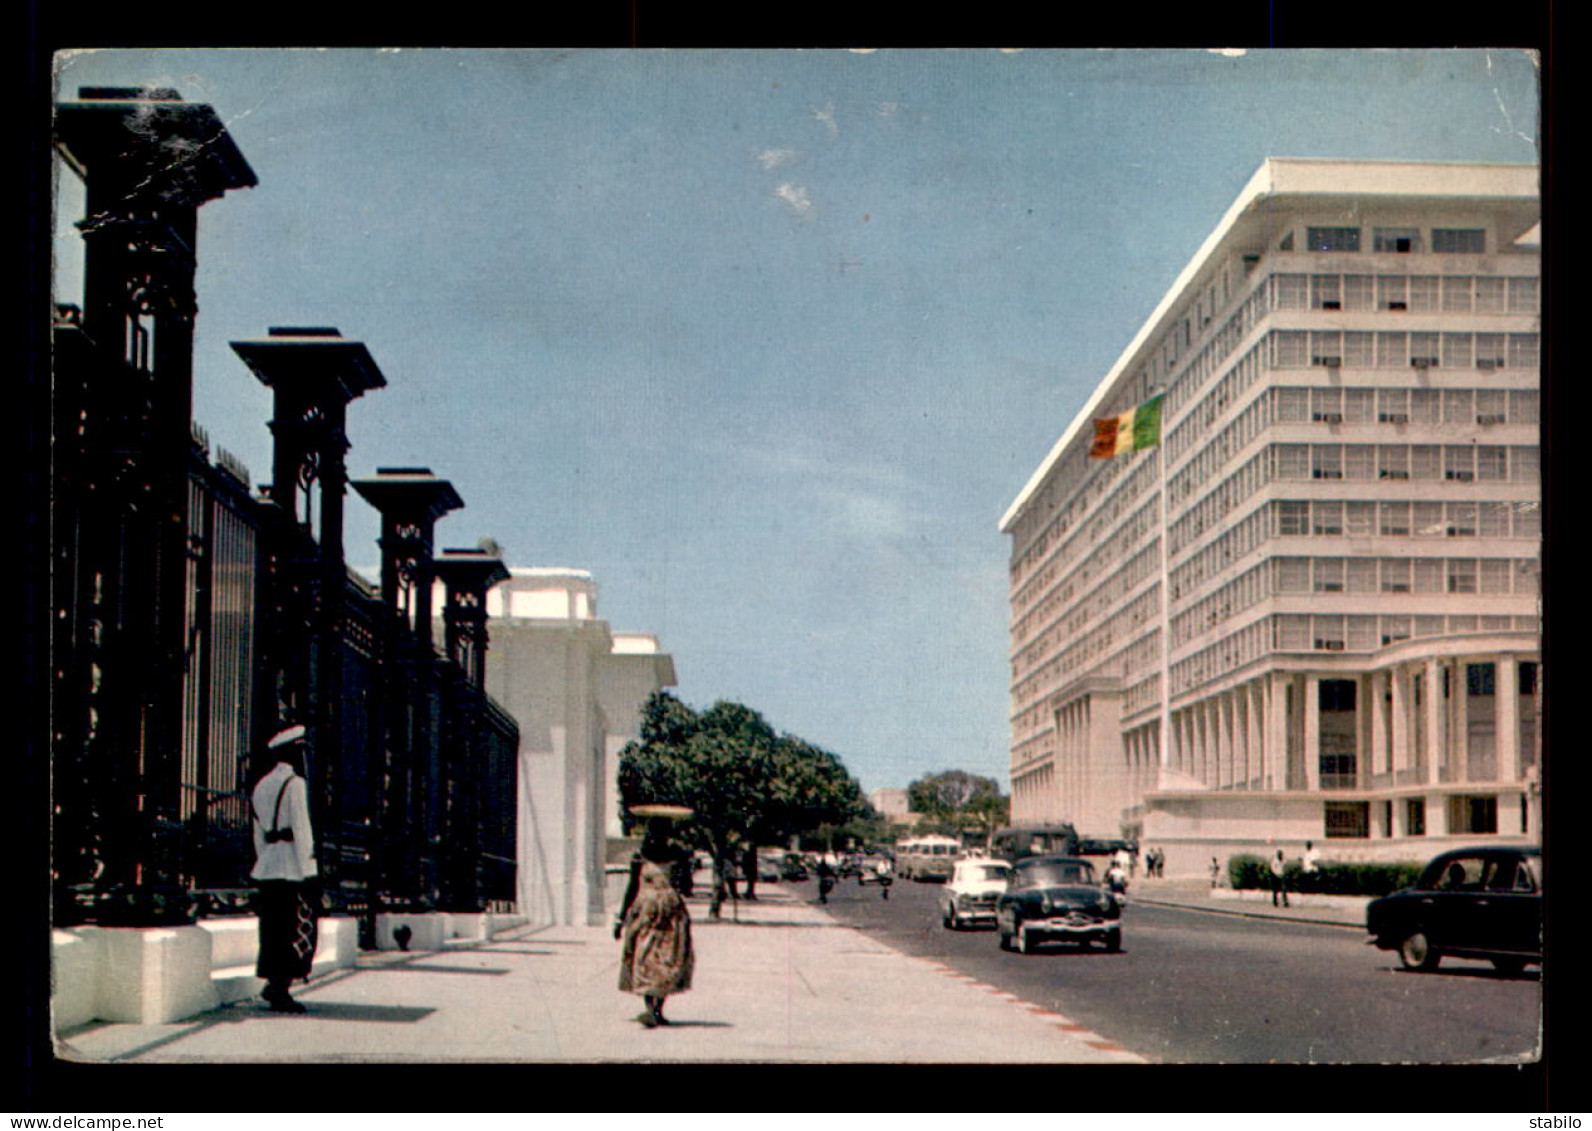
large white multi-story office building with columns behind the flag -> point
(1313, 611)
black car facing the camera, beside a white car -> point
(1058, 898)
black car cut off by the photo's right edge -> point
(1472, 904)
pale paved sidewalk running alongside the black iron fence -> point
(786, 984)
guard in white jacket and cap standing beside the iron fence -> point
(284, 871)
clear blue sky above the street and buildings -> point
(767, 340)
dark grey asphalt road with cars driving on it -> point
(1203, 988)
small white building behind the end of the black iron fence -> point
(577, 691)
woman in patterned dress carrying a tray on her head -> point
(657, 957)
